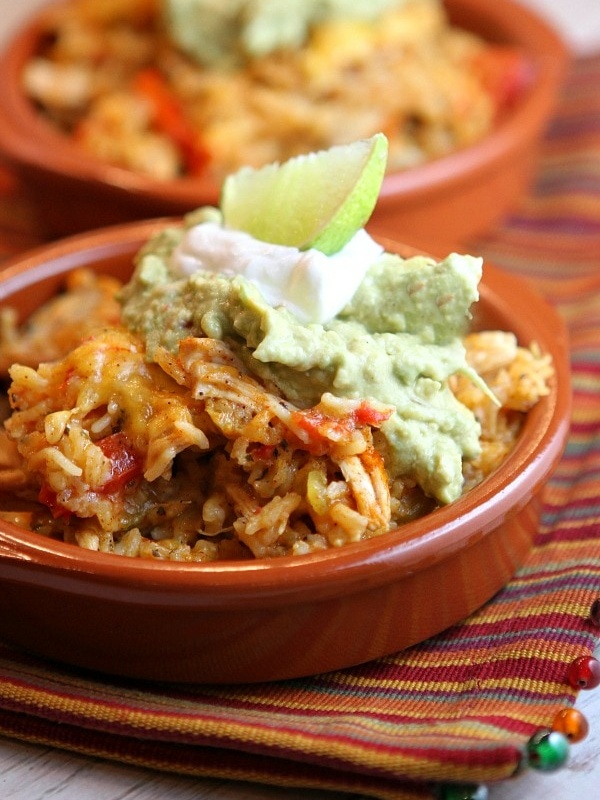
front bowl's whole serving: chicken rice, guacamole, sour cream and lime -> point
(263, 399)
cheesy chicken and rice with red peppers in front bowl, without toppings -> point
(189, 456)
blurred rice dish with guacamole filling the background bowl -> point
(171, 88)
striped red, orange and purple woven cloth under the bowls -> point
(459, 707)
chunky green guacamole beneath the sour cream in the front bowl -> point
(397, 340)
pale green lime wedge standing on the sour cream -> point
(317, 200)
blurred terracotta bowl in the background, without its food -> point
(455, 197)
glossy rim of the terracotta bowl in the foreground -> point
(374, 562)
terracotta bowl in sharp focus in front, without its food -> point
(280, 618)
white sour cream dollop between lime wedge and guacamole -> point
(313, 286)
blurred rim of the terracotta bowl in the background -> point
(23, 130)
